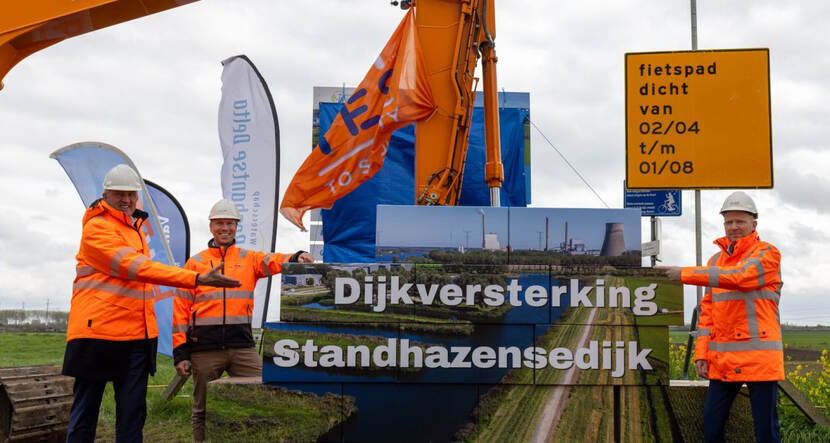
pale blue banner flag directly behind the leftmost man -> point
(86, 164)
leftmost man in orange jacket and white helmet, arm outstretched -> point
(112, 333)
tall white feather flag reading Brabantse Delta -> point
(249, 135)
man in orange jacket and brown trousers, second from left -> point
(212, 327)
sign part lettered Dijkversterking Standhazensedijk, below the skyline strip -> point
(497, 335)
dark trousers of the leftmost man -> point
(130, 402)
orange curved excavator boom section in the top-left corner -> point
(27, 27)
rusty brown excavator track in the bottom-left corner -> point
(34, 404)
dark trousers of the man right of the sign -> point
(763, 396)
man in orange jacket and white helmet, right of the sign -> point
(739, 332)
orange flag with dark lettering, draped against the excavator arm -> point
(394, 93)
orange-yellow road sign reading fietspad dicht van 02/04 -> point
(698, 119)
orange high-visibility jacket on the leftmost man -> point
(112, 296)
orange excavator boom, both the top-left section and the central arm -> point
(454, 35)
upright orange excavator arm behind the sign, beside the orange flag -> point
(454, 35)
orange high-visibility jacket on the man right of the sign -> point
(739, 332)
